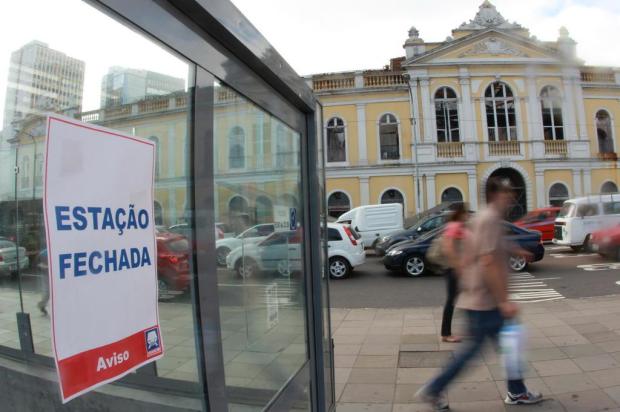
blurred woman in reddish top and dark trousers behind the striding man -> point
(452, 246)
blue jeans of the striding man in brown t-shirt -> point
(482, 325)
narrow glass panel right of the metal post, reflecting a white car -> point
(260, 278)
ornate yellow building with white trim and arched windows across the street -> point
(491, 100)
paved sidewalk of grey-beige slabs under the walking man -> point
(382, 356)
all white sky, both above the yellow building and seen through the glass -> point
(317, 36)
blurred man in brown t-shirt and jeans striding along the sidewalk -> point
(484, 296)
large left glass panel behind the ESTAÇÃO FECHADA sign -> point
(127, 83)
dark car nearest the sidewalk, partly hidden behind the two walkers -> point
(410, 257)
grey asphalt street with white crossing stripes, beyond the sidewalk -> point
(561, 274)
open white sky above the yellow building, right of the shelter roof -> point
(340, 35)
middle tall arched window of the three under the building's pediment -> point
(500, 110)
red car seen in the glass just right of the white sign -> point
(173, 252)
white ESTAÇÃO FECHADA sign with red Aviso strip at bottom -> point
(102, 257)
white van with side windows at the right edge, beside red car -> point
(582, 216)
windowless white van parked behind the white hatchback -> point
(373, 222)
